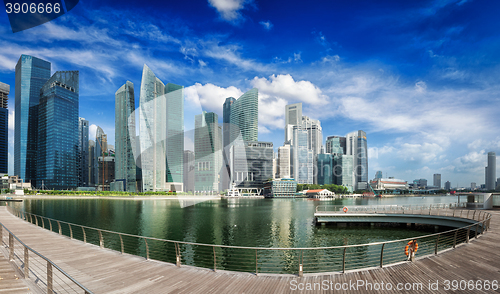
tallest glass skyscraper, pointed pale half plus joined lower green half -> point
(161, 115)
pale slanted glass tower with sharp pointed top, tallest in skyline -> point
(153, 131)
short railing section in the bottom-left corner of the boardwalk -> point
(44, 273)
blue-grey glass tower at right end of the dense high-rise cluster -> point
(356, 145)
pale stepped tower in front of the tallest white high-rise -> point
(302, 157)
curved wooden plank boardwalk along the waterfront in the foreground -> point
(107, 271)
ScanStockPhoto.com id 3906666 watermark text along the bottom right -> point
(364, 285)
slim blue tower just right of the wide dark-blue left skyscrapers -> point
(83, 152)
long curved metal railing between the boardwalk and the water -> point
(270, 260)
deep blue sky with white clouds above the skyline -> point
(420, 77)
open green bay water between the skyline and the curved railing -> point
(240, 222)
